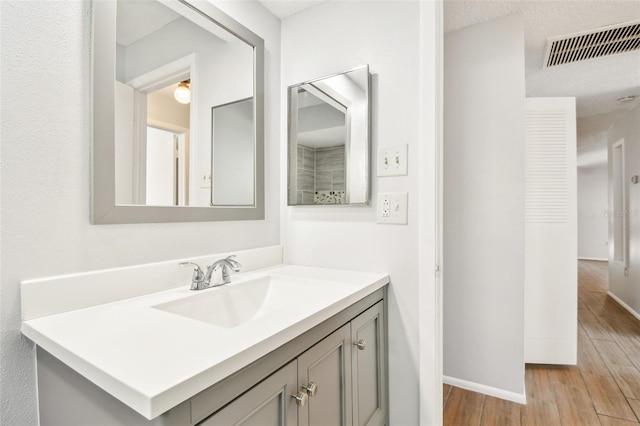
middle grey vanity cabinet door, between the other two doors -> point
(328, 365)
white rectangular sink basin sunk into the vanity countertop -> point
(235, 304)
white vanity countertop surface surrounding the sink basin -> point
(153, 360)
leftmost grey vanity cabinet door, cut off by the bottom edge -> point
(267, 404)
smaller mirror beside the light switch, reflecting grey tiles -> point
(329, 140)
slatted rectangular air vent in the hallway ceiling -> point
(604, 41)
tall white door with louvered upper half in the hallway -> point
(551, 238)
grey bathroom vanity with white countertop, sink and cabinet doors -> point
(279, 345)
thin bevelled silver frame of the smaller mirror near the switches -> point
(292, 140)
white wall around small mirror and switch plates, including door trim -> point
(338, 36)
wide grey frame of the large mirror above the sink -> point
(104, 209)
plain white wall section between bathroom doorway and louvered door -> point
(484, 231)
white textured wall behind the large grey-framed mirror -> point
(45, 177)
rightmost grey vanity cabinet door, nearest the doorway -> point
(369, 367)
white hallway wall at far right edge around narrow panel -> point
(627, 288)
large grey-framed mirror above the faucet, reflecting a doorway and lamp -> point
(178, 114)
